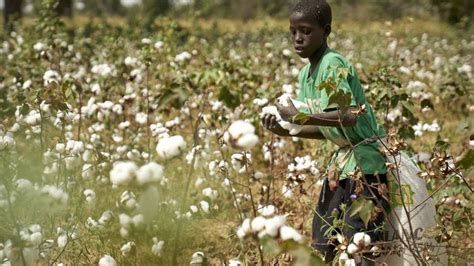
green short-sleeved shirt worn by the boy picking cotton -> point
(363, 134)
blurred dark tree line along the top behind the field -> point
(452, 11)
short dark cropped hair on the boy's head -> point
(316, 10)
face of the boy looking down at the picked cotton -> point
(308, 36)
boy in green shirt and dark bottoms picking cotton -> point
(310, 26)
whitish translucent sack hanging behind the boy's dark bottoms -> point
(418, 208)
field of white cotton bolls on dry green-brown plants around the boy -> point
(147, 148)
